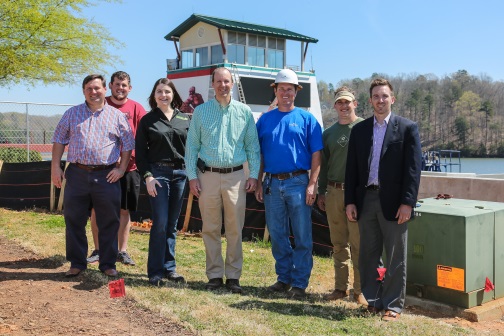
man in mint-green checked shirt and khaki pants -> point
(224, 136)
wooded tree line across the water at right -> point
(459, 111)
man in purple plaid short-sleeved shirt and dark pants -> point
(97, 134)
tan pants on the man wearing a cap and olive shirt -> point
(345, 240)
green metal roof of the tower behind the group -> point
(238, 26)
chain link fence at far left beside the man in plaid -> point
(26, 130)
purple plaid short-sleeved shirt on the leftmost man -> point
(94, 138)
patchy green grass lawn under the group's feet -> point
(256, 312)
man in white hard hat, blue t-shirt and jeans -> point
(291, 141)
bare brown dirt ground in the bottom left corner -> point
(35, 299)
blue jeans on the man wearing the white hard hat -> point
(285, 204)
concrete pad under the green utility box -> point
(490, 311)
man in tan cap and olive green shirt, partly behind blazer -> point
(344, 234)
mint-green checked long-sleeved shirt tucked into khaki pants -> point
(223, 137)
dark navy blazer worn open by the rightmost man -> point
(399, 170)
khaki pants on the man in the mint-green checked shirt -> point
(218, 192)
